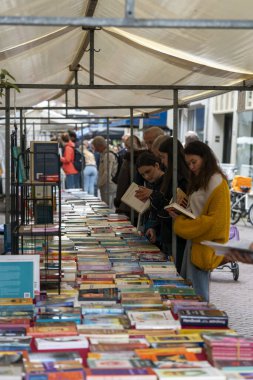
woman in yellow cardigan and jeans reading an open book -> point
(209, 200)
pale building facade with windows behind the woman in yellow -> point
(225, 122)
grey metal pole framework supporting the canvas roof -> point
(129, 21)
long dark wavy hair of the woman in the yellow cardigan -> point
(209, 168)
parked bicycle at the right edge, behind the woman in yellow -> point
(241, 205)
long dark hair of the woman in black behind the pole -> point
(182, 168)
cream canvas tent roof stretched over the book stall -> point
(40, 55)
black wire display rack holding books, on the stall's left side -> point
(36, 211)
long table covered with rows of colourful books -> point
(122, 312)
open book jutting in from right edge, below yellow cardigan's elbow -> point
(221, 249)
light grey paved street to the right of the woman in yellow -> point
(236, 297)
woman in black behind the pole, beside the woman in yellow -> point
(159, 199)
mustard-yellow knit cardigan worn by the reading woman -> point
(212, 224)
